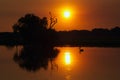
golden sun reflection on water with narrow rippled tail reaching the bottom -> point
(67, 60)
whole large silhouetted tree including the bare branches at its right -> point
(34, 29)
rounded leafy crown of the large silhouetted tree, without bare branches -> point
(30, 25)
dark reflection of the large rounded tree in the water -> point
(33, 58)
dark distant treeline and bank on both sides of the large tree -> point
(95, 37)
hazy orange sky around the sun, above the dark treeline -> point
(87, 14)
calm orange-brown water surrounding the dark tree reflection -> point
(70, 64)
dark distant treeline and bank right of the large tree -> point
(95, 37)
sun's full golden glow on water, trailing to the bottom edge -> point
(68, 59)
